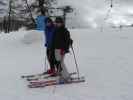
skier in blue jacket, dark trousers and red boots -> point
(49, 34)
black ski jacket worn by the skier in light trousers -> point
(62, 39)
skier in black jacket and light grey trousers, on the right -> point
(61, 43)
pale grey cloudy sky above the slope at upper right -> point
(95, 11)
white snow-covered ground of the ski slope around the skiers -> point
(104, 58)
